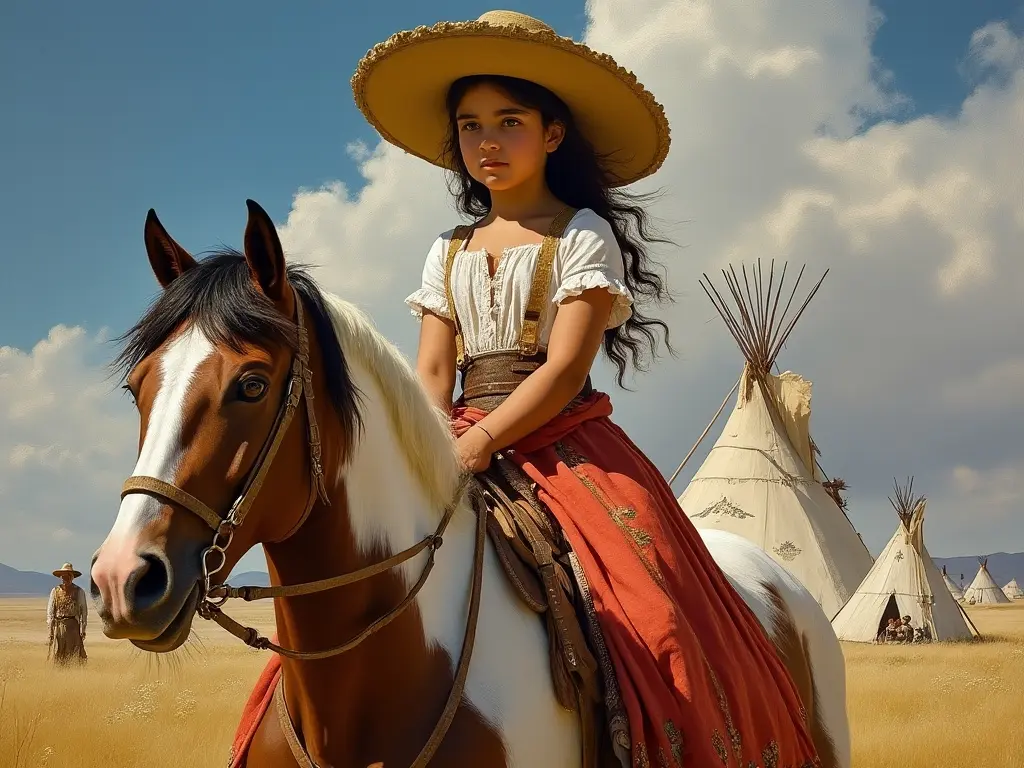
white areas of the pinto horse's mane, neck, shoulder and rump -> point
(397, 479)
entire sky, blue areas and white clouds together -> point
(109, 110)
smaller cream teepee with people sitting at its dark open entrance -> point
(904, 582)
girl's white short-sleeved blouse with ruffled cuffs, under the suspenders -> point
(588, 257)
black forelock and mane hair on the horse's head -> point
(220, 297)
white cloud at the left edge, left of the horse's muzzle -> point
(65, 438)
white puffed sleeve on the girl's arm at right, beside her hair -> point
(589, 258)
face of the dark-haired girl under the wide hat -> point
(503, 144)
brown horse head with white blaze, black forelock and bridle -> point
(225, 368)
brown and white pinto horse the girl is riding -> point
(275, 414)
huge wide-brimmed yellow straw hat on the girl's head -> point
(401, 87)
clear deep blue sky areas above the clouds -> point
(190, 108)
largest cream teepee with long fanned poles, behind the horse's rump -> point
(761, 480)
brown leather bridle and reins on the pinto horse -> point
(214, 596)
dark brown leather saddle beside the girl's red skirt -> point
(536, 560)
